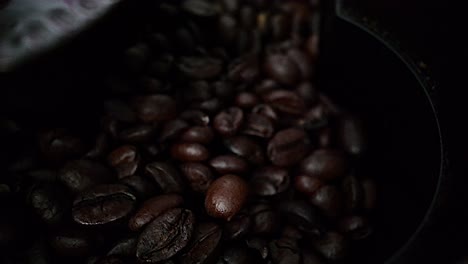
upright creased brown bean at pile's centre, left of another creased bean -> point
(228, 122)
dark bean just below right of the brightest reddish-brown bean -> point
(265, 221)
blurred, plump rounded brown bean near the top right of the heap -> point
(282, 69)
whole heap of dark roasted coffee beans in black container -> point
(214, 146)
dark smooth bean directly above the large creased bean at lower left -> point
(80, 175)
